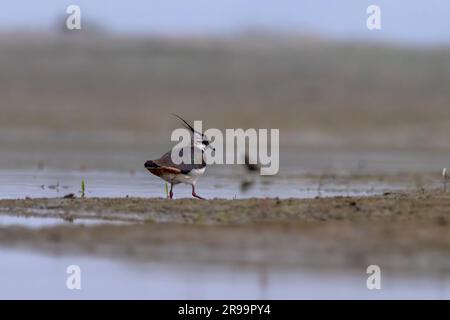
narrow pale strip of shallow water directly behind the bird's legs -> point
(57, 183)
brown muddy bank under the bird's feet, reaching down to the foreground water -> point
(408, 232)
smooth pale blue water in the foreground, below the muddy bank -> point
(26, 274)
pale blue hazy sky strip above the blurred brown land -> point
(418, 21)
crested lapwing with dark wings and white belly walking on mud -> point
(186, 173)
